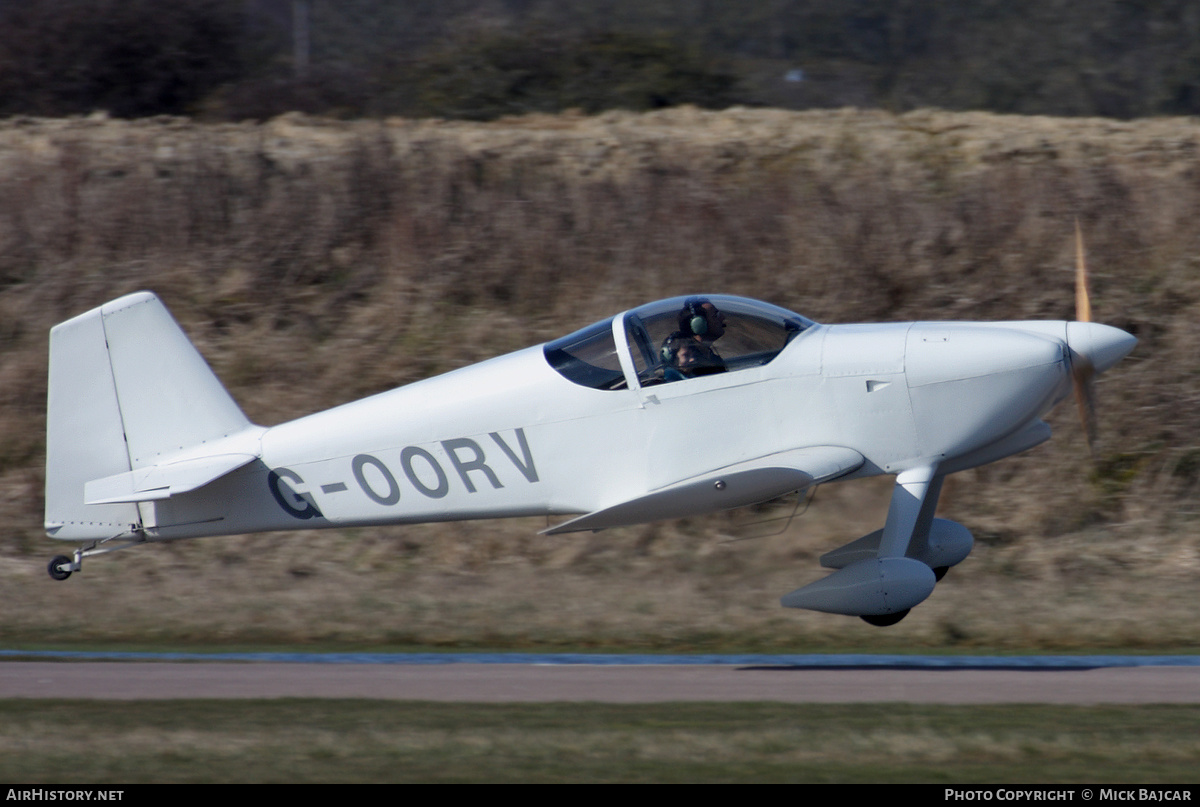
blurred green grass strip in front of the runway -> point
(307, 740)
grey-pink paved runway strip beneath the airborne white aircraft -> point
(619, 684)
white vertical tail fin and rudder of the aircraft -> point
(127, 391)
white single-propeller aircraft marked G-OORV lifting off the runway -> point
(675, 409)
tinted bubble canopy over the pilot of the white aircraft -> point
(656, 340)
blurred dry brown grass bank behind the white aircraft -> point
(315, 262)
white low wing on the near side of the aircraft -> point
(736, 486)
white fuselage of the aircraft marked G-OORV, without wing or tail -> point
(512, 438)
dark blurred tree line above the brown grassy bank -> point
(479, 59)
